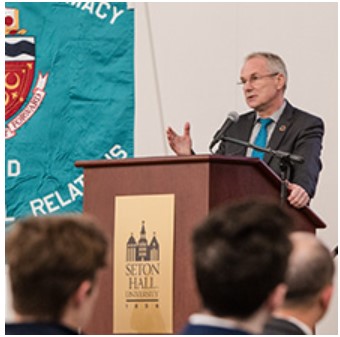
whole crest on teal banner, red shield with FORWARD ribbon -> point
(19, 74)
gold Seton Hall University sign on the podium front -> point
(143, 264)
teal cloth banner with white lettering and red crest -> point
(69, 95)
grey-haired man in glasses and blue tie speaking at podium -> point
(274, 123)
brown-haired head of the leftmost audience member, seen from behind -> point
(53, 263)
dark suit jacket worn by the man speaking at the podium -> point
(296, 132)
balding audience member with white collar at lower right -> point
(309, 287)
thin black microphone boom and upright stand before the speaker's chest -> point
(286, 160)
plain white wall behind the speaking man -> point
(198, 50)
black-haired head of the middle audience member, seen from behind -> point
(240, 255)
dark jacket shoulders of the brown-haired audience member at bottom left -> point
(37, 329)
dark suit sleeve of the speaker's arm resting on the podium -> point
(309, 145)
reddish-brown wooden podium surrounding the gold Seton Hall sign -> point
(199, 183)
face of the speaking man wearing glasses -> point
(262, 88)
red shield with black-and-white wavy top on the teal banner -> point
(19, 67)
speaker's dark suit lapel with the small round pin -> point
(280, 130)
